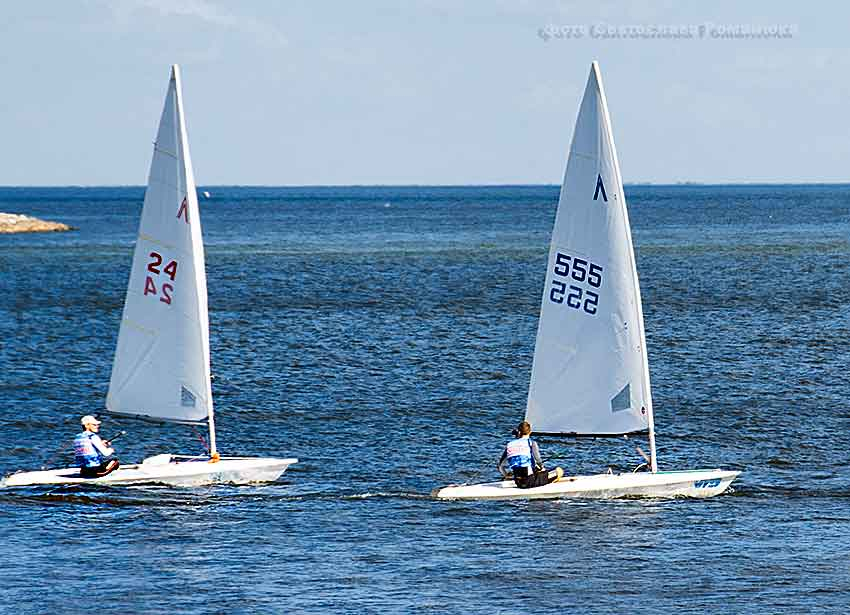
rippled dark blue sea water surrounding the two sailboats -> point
(384, 336)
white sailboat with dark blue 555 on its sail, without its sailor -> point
(590, 374)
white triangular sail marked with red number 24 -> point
(161, 368)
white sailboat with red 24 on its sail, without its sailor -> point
(161, 369)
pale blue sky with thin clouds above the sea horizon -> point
(319, 92)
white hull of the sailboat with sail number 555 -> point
(689, 483)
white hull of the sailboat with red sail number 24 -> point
(164, 470)
